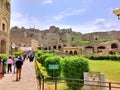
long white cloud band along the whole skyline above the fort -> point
(87, 27)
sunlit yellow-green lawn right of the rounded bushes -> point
(111, 69)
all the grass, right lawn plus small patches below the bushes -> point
(111, 70)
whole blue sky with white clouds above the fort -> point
(83, 16)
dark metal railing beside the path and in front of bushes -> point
(57, 80)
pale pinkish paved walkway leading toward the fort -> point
(27, 82)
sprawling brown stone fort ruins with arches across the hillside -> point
(60, 39)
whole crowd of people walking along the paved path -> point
(14, 65)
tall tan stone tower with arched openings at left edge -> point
(4, 26)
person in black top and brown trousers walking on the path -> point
(18, 64)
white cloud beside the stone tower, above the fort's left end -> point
(20, 20)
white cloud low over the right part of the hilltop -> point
(98, 25)
